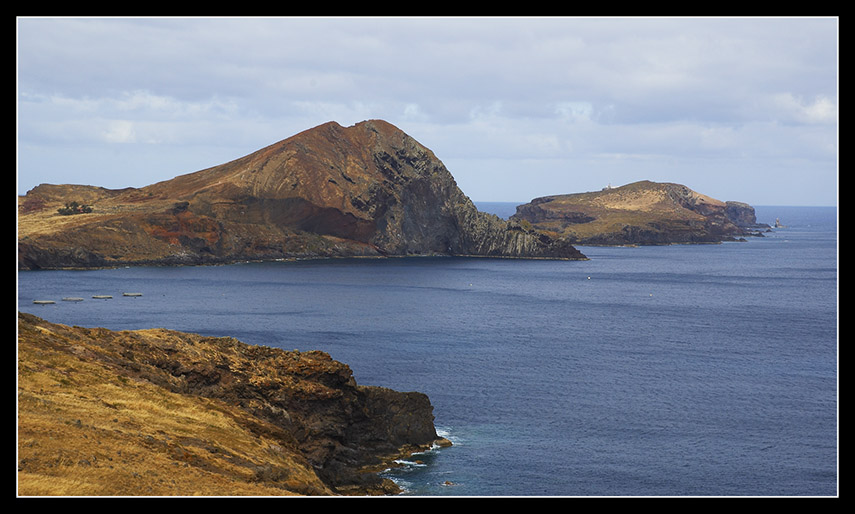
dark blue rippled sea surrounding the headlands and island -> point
(685, 370)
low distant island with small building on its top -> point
(644, 213)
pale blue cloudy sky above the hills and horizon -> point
(742, 109)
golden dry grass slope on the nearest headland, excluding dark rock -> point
(85, 430)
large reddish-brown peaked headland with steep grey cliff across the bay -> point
(365, 190)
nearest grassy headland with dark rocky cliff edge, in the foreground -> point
(159, 412)
